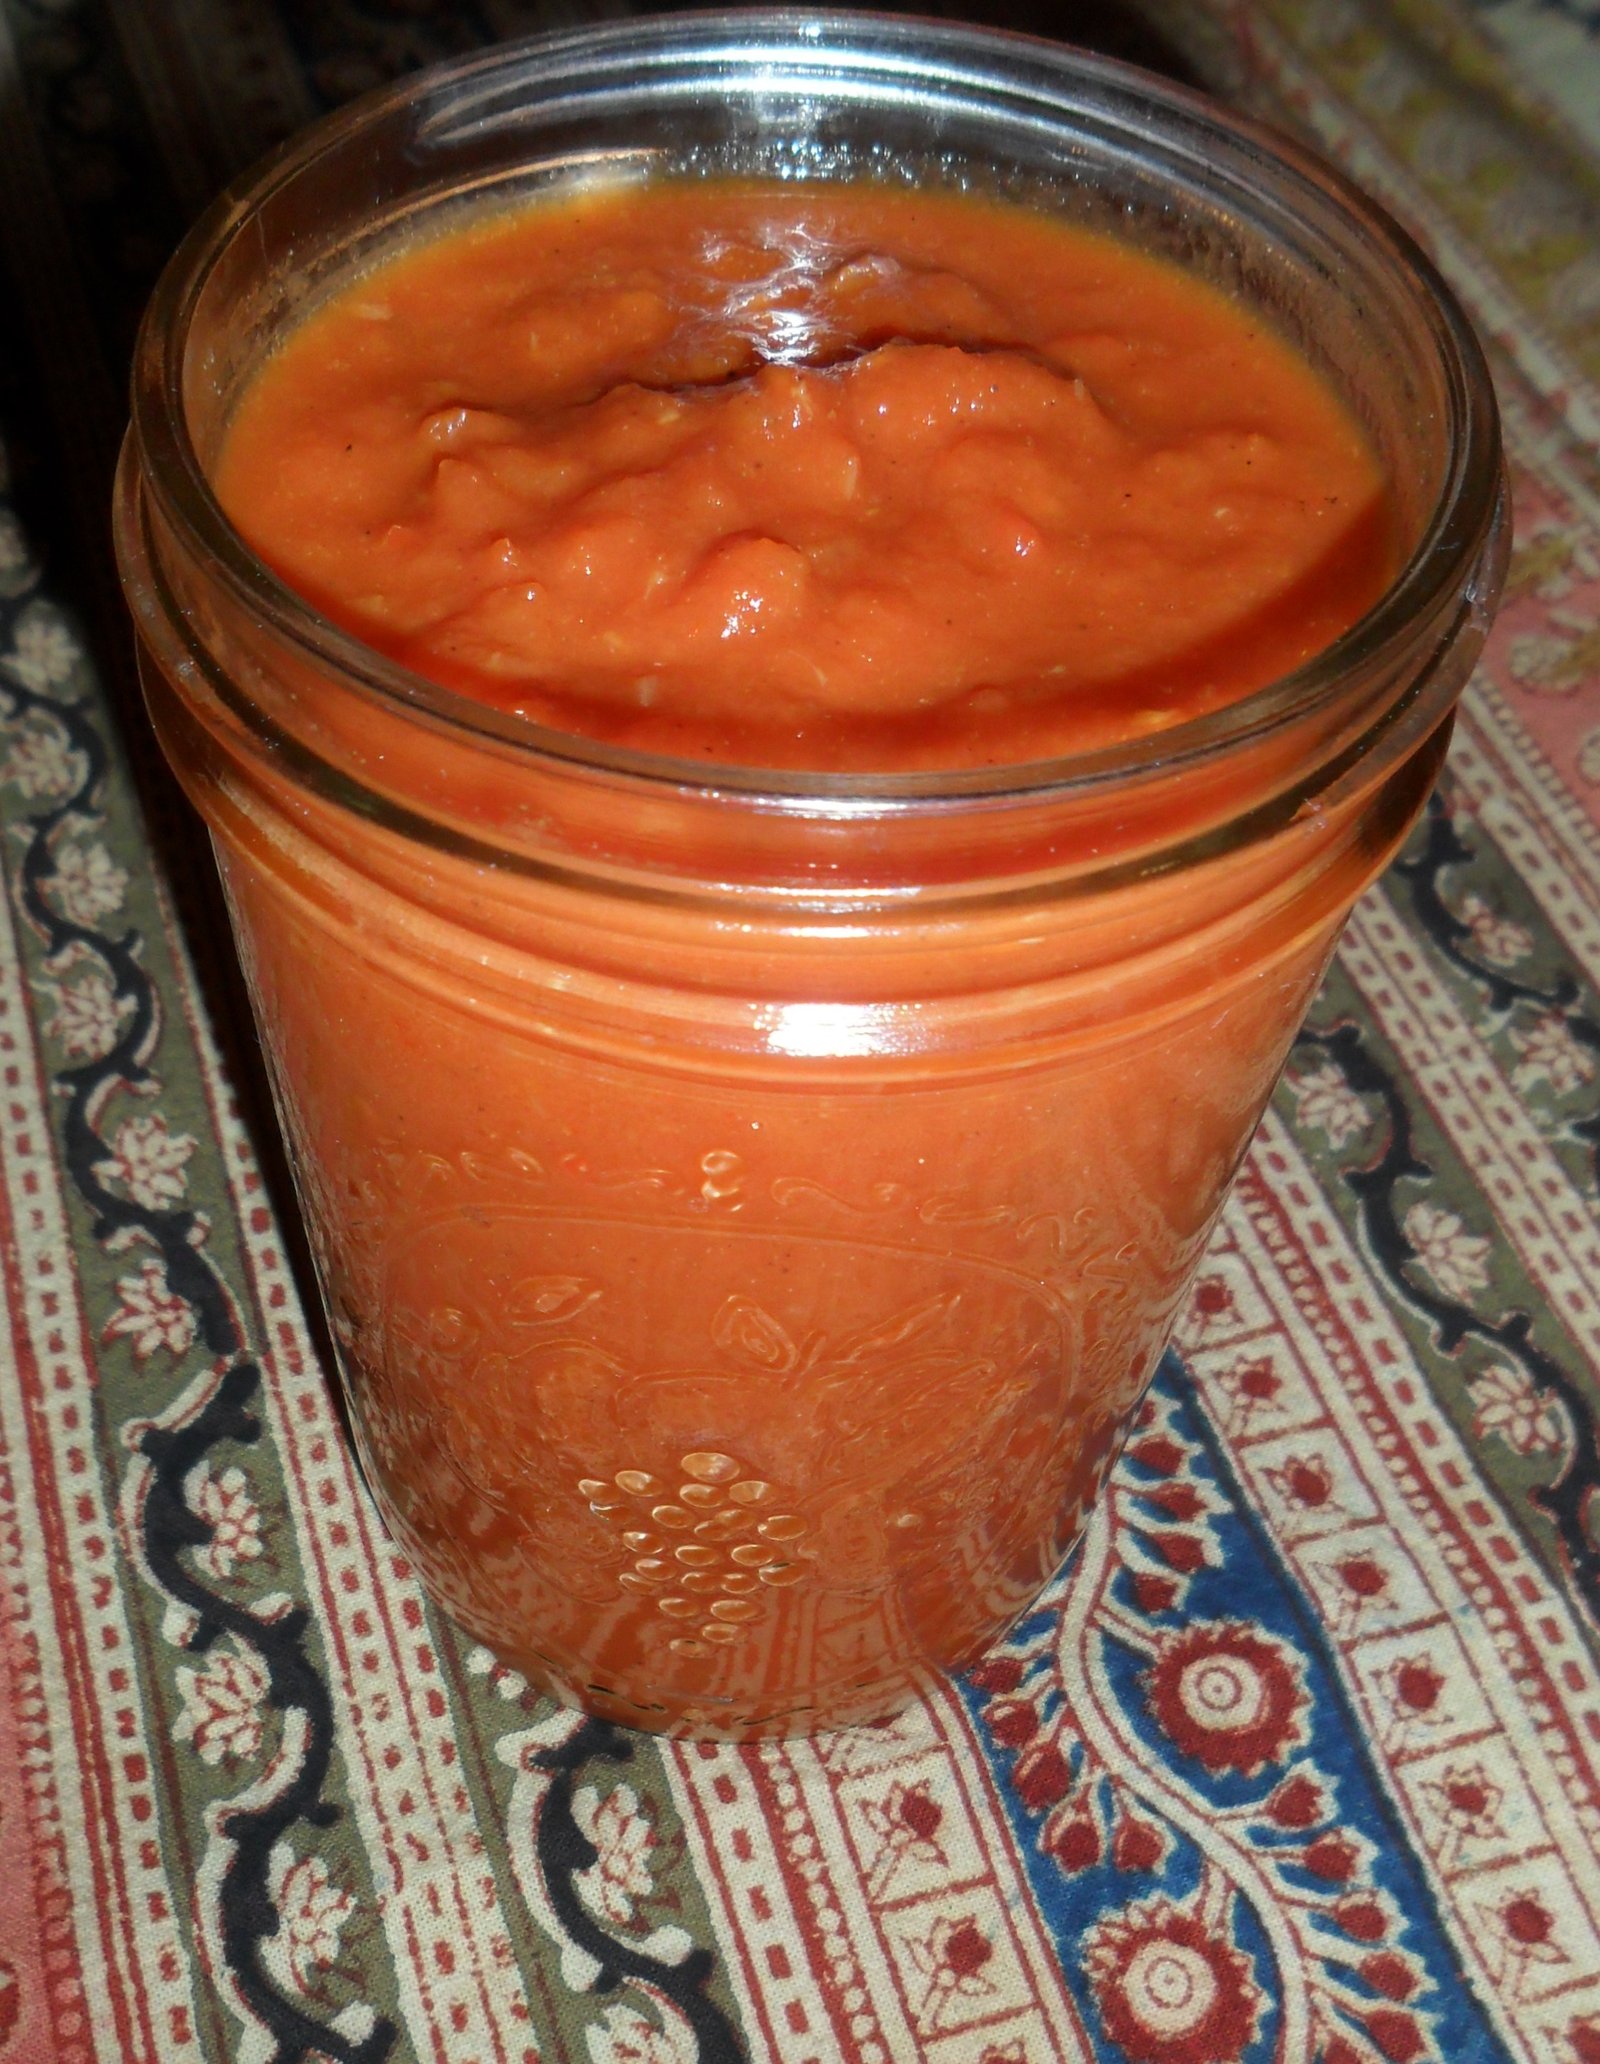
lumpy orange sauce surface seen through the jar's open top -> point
(810, 476)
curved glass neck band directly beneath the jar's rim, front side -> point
(554, 812)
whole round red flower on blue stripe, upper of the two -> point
(1229, 1696)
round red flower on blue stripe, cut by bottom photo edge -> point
(1167, 1989)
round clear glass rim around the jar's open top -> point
(814, 46)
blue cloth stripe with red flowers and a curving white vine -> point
(1201, 1819)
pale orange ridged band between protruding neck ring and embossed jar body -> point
(1011, 967)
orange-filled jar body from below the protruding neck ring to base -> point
(732, 1361)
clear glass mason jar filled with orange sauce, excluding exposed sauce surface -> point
(750, 1204)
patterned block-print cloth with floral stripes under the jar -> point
(1302, 1760)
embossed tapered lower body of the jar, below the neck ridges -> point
(740, 1398)
